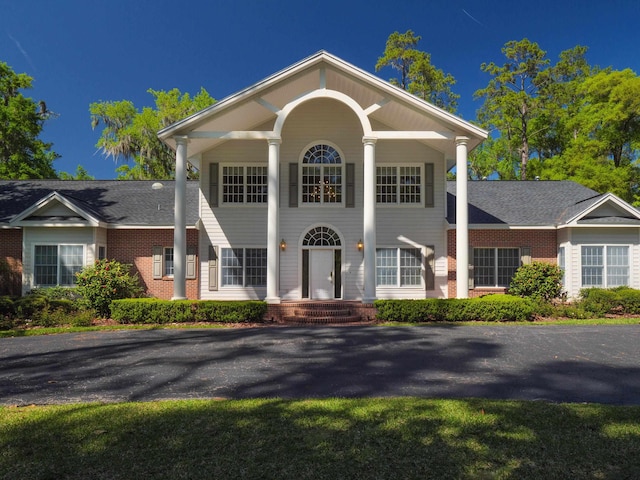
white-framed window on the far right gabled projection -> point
(605, 266)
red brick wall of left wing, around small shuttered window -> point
(134, 247)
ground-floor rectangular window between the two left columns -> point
(244, 267)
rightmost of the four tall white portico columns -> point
(462, 220)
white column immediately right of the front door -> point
(369, 220)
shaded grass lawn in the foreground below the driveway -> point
(399, 438)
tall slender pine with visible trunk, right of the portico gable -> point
(511, 101)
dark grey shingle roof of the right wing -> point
(522, 203)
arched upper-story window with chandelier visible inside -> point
(322, 175)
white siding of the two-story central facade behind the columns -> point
(330, 121)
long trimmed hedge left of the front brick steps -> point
(151, 310)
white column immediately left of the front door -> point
(273, 223)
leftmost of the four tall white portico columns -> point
(180, 222)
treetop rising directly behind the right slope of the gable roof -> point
(417, 74)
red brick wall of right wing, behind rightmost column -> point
(543, 245)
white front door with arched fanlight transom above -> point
(321, 264)
